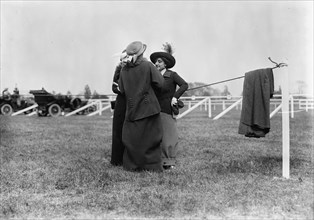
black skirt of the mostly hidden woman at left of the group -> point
(117, 148)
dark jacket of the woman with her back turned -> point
(140, 82)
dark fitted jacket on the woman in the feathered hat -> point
(168, 91)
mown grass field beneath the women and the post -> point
(59, 168)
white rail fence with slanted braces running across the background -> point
(207, 103)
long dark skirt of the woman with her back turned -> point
(142, 141)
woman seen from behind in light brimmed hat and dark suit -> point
(142, 130)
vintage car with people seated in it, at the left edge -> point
(12, 103)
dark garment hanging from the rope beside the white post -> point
(258, 88)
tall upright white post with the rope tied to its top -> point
(285, 126)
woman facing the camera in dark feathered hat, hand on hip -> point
(168, 99)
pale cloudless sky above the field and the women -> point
(65, 45)
